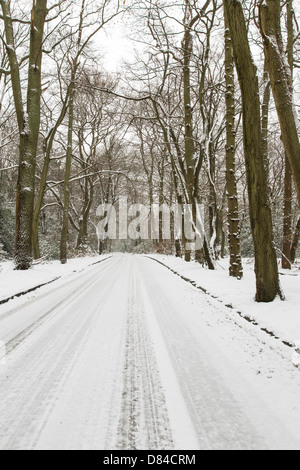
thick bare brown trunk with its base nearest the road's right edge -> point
(266, 268)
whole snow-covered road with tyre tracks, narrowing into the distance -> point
(126, 355)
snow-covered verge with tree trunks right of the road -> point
(280, 318)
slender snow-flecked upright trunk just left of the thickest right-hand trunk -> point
(236, 269)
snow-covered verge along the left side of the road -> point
(15, 282)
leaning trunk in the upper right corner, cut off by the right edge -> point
(282, 83)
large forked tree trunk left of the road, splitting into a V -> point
(28, 124)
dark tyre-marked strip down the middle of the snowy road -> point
(144, 421)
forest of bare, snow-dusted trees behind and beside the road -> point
(204, 112)
